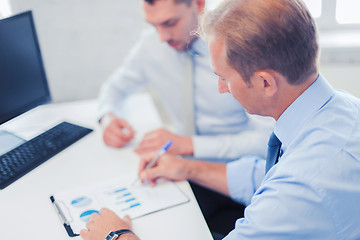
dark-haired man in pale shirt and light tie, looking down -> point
(206, 125)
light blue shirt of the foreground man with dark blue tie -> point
(313, 192)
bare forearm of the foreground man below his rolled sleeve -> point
(208, 174)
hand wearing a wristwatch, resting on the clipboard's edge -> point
(99, 226)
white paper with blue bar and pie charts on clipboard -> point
(76, 206)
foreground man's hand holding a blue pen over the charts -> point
(168, 166)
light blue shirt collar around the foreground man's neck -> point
(295, 116)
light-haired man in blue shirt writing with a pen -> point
(265, 53)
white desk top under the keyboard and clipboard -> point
(25, 209)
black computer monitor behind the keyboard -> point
(23, 83)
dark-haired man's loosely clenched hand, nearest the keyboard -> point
(117, 132)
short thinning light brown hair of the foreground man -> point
(277, 35)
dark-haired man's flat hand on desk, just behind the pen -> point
(154, 140)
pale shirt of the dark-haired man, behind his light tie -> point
(224, 129)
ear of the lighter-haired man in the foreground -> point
(267, 81)
